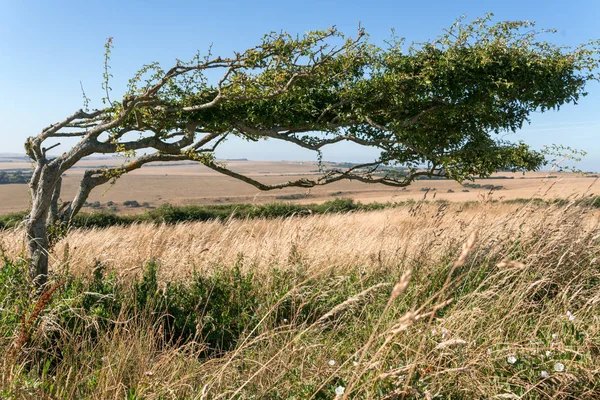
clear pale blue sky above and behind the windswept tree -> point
(48, 47)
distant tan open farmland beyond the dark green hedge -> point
(185, 184)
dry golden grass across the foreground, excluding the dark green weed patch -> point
(527, 288)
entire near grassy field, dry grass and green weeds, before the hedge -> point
(428, 300)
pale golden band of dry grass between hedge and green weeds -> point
(324, 242)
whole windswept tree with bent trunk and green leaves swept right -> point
(433, 109)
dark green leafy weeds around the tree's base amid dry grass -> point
(217, 309)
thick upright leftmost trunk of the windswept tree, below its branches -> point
(42, 193)
